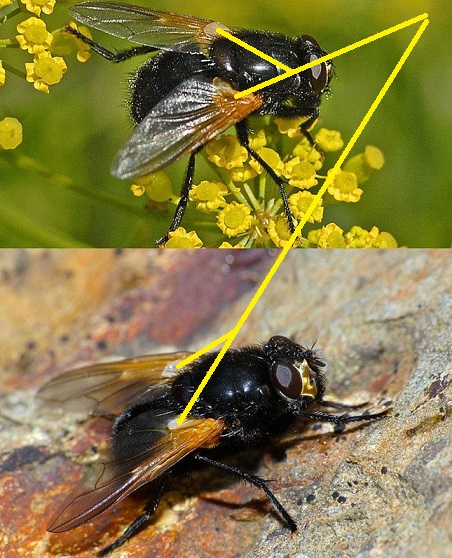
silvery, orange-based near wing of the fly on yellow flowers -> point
(193, 113)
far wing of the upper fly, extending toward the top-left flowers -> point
(165, 31)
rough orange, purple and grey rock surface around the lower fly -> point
(383, 320)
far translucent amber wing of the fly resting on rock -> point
(107, 388)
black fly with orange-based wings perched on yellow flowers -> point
(184, 96)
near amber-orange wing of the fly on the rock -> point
(149, 452)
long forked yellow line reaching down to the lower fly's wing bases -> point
(231, 335)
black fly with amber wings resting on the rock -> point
(255, 394)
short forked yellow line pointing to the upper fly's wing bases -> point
(292, 71)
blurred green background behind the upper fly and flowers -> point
(77, 129)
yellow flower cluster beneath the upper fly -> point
(242, 207)
